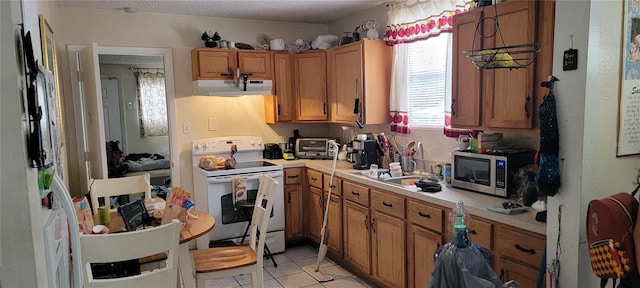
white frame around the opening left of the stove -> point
(167, 56)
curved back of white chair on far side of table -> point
(105, 188)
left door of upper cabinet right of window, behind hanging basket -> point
(466, 78)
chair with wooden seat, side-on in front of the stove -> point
(234, 260)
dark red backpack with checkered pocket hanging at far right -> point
(610, 235)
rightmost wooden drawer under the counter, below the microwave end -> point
(520, 245)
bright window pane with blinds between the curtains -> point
(427, 76)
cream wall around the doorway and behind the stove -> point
(235, 116)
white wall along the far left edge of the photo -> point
(22, 262)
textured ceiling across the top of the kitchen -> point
(301, 11)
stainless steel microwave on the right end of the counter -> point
(491, 173)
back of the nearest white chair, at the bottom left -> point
(107, 248)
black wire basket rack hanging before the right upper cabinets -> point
(504, 57)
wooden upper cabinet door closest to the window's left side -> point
(347, 82)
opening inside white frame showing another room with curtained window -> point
(134, 103)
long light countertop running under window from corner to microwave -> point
(475, 203)
